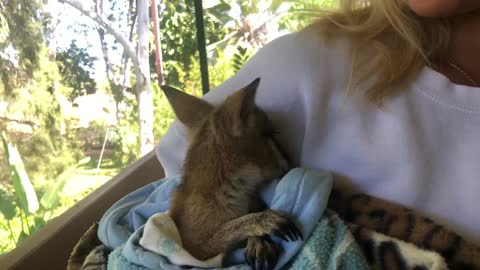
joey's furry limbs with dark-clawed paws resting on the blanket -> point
(251, 229)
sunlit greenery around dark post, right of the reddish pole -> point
(222, 19)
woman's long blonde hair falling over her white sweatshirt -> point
(402, 42)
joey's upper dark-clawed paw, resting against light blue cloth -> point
(281, 226)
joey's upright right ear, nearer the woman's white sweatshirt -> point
(241, 105)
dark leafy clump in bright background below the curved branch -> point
(75, 65)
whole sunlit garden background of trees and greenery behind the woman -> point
(68, 104)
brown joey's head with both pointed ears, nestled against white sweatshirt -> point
(233, 140)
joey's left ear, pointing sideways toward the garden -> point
(189, 110)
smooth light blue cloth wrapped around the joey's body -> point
(302, 194)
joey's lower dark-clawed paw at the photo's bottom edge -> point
(260, 253)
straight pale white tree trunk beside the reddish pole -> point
(144, 91)
